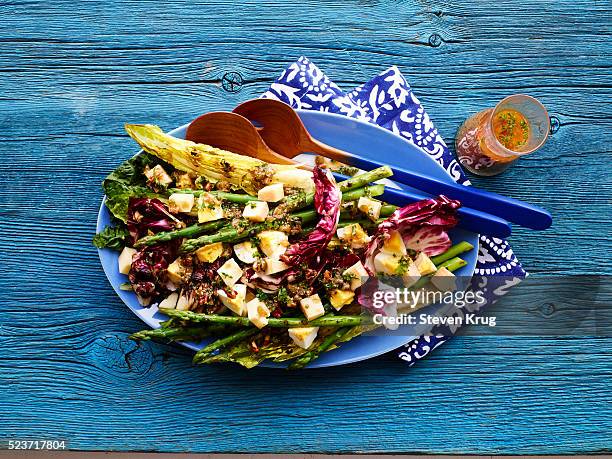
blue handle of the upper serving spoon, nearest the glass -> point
(510, 209)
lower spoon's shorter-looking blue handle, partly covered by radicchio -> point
(469, 219)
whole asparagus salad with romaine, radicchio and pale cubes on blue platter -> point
(264, 261)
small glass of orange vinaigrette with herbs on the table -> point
(490, 141)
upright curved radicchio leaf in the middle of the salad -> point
(327, 202)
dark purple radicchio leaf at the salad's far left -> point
(146, 214)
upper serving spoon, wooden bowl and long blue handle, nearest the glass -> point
(283, 131)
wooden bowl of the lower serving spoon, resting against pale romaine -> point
(232, 132)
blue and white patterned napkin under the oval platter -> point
(388, 101)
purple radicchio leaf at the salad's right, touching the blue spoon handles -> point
(436, 215)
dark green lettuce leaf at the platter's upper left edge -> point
(127, 181)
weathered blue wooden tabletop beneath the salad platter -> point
(74, 72)
